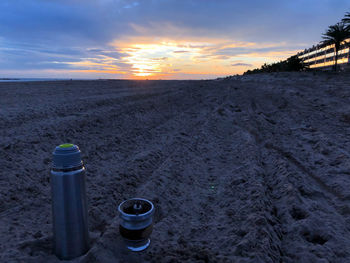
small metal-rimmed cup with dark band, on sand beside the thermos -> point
(136, 223)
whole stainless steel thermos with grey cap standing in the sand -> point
(69, 207)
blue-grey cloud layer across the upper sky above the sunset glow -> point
(97, 20)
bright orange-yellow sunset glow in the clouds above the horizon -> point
(172, 58)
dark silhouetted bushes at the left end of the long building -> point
(291, 64)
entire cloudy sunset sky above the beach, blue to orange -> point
(156, 39)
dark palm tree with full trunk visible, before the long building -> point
(334, 36)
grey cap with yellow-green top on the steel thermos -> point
(66, 156)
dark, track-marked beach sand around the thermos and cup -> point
(248, 169)
